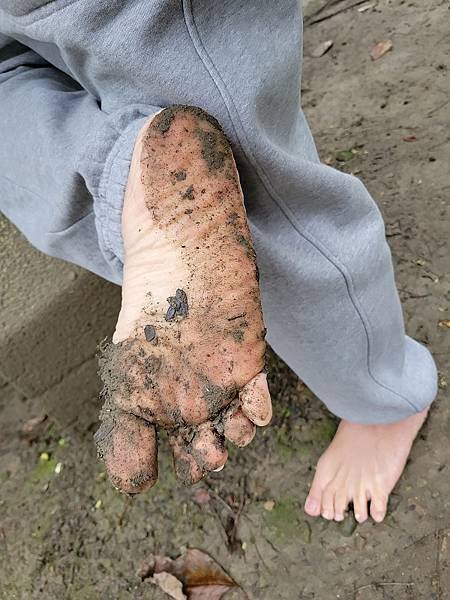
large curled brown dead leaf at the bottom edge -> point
(201, 576)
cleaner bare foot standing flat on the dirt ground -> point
(362, 464)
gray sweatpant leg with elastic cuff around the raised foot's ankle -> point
(63, 161)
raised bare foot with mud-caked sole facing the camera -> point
(188, 350)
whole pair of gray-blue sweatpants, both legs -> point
(77, 80)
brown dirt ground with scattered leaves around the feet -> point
(70, 535)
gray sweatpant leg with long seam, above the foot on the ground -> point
(329, 297)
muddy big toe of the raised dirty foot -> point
(128, 447)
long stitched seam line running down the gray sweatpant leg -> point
(214, 73)
